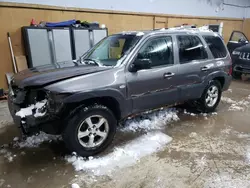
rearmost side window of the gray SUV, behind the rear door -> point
(216, 46)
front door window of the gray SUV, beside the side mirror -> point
(158, 50)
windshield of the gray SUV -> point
(111, 49)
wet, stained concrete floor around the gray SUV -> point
(206, 151)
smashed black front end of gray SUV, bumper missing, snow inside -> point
(34, 109)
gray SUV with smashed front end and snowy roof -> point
(124, 74)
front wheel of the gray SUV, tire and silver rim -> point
(82, 135)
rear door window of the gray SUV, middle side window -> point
(191, 48)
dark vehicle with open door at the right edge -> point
(239, 48)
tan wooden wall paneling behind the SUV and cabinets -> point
(13, 18)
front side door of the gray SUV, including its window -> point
(154, 87)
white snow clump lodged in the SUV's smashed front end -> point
(34, 108)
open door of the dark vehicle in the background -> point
(236, 40)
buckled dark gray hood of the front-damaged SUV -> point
(47, 74)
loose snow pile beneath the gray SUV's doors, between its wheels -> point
(155, 120)
